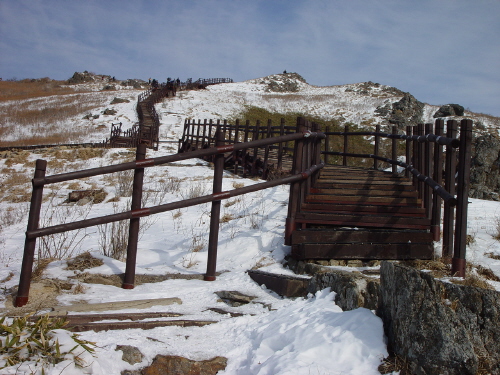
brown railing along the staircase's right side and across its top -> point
(438, 177)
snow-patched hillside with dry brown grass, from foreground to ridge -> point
(269, 335)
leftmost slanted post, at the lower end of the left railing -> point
(30, 244)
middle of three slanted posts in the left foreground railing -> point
(133, 231)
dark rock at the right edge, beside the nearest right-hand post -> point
(485, 168)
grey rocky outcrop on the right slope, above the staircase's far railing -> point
(405, 112)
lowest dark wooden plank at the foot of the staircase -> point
(365, 251)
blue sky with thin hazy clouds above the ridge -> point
(441, 51)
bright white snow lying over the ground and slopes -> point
(275, 335)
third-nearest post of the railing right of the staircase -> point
(438, 177)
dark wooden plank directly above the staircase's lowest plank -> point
(359, 236)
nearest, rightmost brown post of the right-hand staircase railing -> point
(458, 261)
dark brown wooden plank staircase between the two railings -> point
(352, 213)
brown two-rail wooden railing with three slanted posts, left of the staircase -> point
(306, 142)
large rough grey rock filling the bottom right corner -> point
(440, 328)
